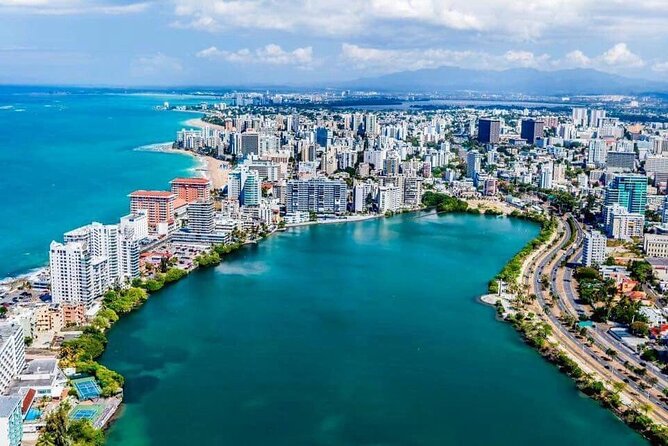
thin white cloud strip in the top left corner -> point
(71, 7)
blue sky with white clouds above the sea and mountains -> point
(303, 42)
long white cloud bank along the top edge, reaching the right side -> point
(509, 19)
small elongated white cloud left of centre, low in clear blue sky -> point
(270, 54)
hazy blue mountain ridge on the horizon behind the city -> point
(517, 80)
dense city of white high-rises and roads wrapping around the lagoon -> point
(588, 292)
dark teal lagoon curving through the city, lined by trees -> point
(348, 334)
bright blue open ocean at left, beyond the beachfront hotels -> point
(69, 157)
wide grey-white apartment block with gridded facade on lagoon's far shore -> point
(316, 195)
